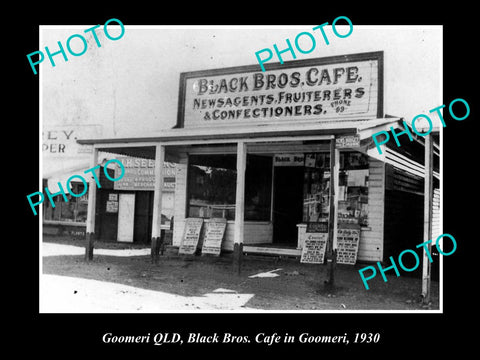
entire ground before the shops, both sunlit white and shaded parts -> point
(121, 278)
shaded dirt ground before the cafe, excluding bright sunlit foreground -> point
(291, 286)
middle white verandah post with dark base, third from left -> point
(239, 206)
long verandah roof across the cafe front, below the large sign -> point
(144, 146)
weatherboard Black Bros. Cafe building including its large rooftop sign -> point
(254, 148)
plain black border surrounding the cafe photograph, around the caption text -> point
(401, 334)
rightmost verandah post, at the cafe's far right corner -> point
(427, 215)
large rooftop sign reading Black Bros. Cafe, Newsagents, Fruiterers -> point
(338, 87)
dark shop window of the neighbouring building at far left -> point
(75, 210)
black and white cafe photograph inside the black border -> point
(223, 187)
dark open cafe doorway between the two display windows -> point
(287, 204)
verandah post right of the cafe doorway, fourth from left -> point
(332, 221)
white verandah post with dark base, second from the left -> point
(157, 204)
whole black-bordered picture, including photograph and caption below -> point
(260, 184)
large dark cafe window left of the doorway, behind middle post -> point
(212, 187)
